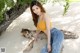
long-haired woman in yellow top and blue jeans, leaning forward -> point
(42, 22)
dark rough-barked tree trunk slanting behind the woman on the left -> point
(11, 15)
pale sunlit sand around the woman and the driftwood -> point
(13, 42)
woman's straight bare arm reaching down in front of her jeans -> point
(47, 19)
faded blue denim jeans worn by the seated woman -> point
(57, 38)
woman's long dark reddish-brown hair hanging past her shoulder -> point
(35, 16)
